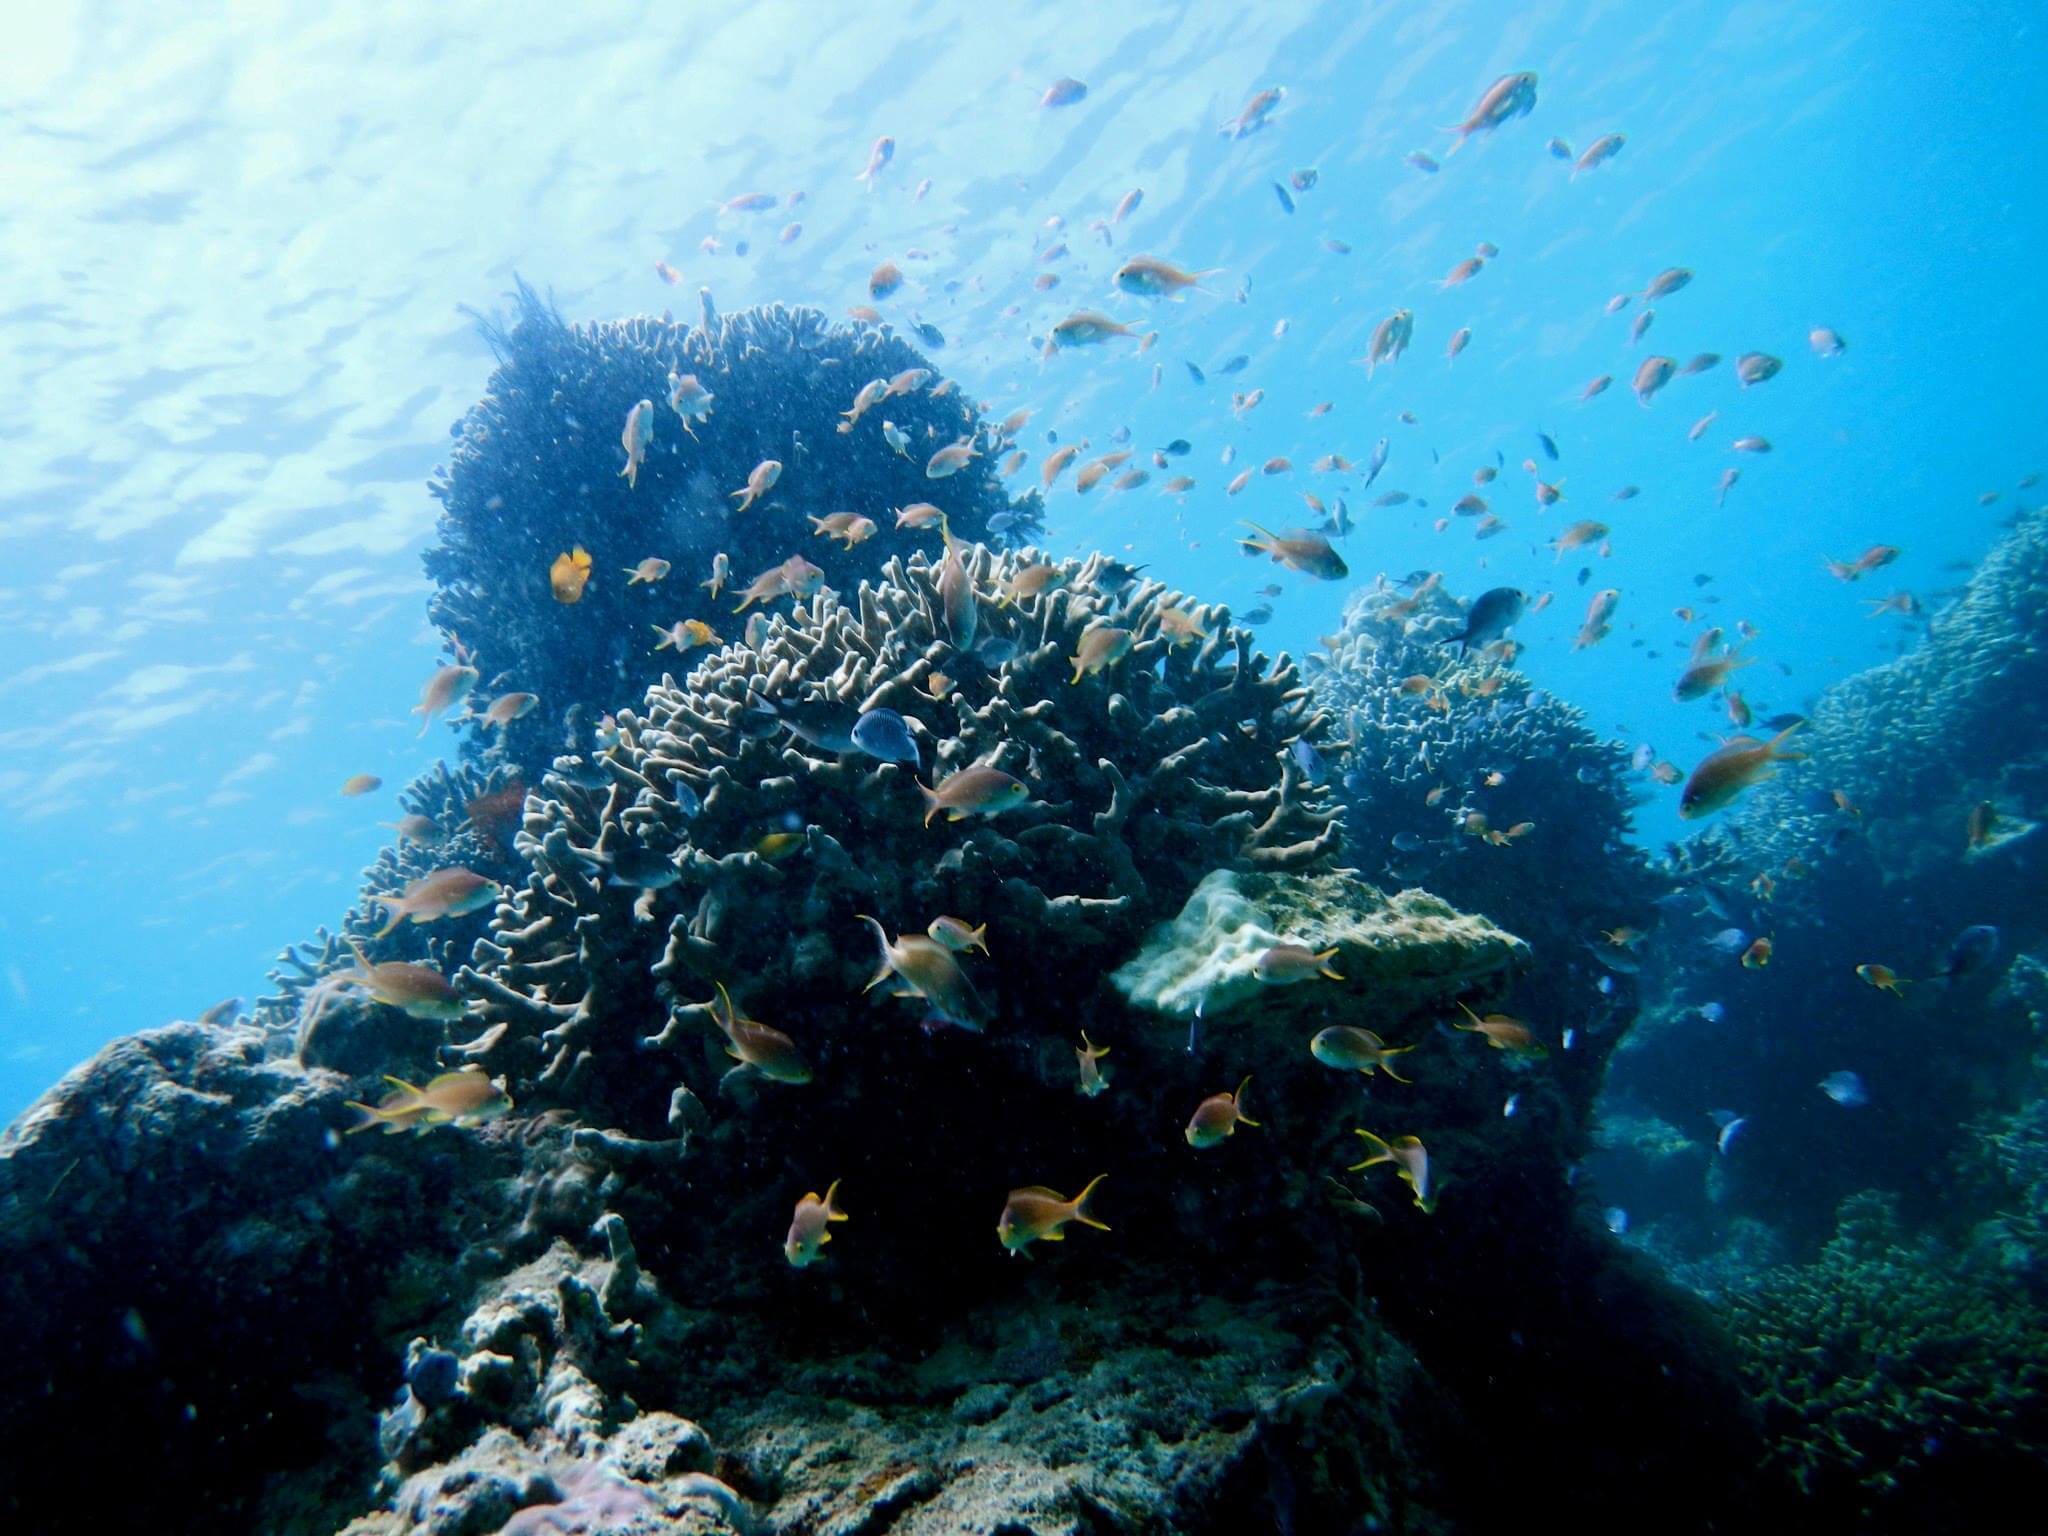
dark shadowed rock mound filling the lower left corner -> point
(208, 1283)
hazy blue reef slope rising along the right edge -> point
(1881, 873)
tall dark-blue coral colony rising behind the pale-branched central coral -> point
(536, 472)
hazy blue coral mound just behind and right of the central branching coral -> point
(1461, 777)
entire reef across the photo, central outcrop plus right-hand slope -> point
(1138, 1017)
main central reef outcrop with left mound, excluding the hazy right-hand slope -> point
(1031, 777)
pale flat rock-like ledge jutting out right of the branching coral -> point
(1394, 955)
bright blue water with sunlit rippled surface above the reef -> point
(232, 345)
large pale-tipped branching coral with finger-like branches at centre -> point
(1175, 763)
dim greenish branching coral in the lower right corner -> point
(1904, 1388)
